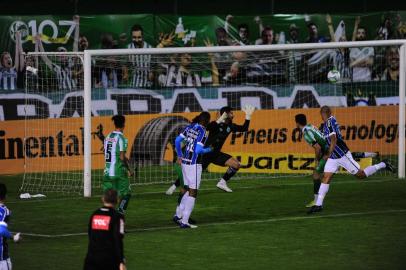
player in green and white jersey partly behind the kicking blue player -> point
(315, 139)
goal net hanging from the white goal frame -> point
(160, 90)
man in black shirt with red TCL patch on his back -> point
(106, 233)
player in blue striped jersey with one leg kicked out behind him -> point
(339, 155)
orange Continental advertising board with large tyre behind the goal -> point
(272, 144)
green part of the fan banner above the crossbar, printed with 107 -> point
(191, 30)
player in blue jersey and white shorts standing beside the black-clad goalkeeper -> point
(194, 136)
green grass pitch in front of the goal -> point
(262, 225)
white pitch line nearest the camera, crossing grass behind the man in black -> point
(255, 221)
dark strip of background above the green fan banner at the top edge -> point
(194, 7)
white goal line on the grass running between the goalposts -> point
(203, 189)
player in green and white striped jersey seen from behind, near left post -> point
(117, 170)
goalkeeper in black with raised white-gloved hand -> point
(218, 133)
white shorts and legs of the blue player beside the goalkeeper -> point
(193, 174)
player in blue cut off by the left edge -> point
(5, 262)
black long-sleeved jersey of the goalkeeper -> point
(218, 133)
